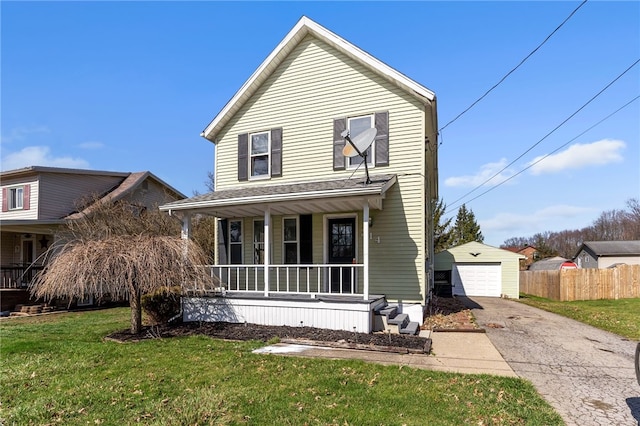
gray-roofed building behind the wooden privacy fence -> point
(602, 254)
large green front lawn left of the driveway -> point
(57, 369)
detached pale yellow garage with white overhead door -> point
(476, 269)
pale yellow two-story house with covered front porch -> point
(303, 238)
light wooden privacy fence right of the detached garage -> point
(621, 282)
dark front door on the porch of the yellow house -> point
(342, 250)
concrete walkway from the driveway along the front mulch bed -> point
(470, 353)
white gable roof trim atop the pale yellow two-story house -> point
(292, 39)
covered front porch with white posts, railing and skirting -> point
(292, 255)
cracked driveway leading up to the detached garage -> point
(586, 374)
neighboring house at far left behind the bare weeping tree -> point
(37, 200)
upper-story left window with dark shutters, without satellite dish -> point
(260, 154)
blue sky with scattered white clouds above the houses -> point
(129, 86)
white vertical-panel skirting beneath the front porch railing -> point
(330, 313)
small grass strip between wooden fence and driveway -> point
(620, 316)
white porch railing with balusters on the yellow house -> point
(316, 279)
